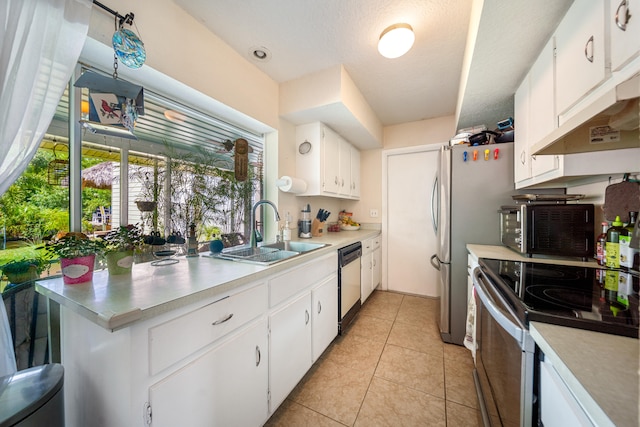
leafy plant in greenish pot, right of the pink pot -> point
(119, 246)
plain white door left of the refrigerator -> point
(408, 178)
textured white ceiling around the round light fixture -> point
(312, 35)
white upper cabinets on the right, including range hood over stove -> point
(571, 109)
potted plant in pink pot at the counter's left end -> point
(77, 254)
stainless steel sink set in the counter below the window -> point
(268, 254)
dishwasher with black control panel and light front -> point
(348, 284)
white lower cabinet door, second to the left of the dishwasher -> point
(289, 347)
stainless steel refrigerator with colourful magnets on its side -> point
(471, 184)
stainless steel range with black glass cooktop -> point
(509, 295)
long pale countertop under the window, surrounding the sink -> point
(114, 302)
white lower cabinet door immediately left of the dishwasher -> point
(324, 315)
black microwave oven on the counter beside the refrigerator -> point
(549, 229)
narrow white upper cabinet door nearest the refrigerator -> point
(521, 161)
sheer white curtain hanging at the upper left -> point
(40, 43)
